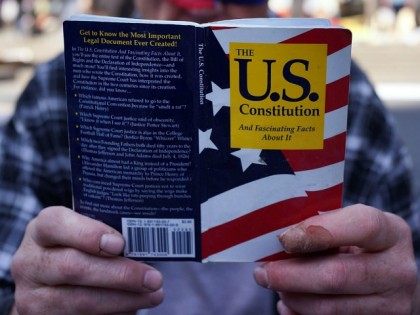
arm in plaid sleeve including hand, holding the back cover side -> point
(66, 263)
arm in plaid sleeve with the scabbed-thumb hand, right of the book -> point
(373, 266)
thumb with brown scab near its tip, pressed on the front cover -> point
(357, 225)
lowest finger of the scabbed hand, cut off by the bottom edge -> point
(308, 304)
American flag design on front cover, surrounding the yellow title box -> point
(249, 196)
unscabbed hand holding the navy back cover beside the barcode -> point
(68, 264)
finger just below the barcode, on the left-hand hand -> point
(64, 266)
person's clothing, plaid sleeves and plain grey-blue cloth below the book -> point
(35, 173)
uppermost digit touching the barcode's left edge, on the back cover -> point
(59, 226)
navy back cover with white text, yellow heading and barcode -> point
(132, 132)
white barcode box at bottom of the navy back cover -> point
(159, 237)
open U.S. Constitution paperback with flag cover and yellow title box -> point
(205, 142)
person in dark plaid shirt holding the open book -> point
(56, 261)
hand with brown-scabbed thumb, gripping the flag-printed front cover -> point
(372, 271)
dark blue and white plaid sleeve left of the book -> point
(34, 166)
